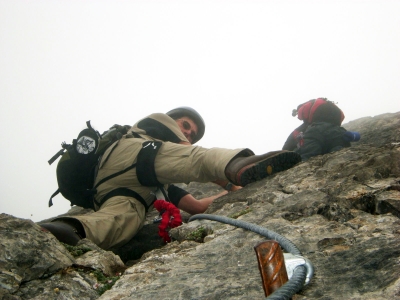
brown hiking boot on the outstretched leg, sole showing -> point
(244, 170)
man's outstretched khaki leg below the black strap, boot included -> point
(177, 163)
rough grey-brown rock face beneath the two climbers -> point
(341, 210)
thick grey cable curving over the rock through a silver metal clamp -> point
(299, 269)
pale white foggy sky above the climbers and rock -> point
(244, 65)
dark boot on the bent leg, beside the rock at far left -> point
(64, 232)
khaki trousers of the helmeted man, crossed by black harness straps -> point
(120, 218)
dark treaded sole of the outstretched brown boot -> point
(269, 166)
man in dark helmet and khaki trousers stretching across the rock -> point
(162, 146)
